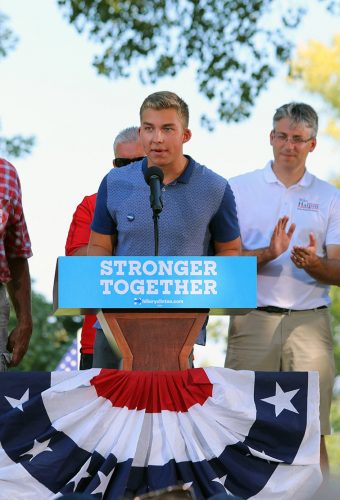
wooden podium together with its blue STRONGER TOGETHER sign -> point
(152, 309)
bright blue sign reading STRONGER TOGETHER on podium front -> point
(156, 282)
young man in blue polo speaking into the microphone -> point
(199, 214)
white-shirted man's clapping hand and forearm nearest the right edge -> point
(323, 269)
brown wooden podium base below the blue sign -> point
(153, 340)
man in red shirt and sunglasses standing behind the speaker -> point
(127, 148)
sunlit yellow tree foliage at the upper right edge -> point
(317, 67)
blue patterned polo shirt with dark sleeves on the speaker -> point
(198, 208)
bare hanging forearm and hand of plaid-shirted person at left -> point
(19, 290)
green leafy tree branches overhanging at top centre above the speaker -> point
(230, 44)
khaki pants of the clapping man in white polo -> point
(299, 341)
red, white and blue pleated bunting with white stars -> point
(253, 434)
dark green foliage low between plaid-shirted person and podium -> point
(51, 336)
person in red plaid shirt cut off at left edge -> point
(15, 249)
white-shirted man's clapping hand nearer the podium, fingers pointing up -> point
(279, 243)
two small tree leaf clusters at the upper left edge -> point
(15, 146)
